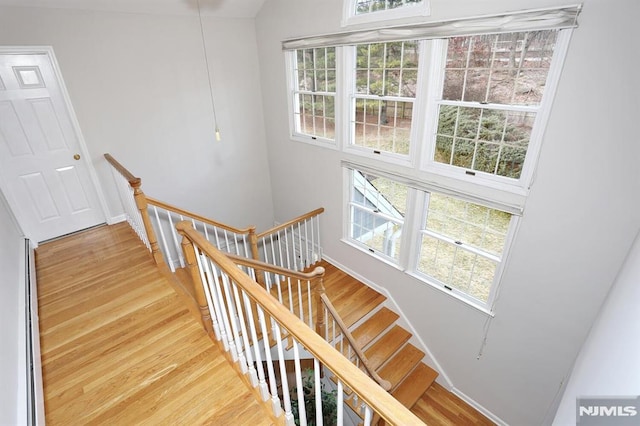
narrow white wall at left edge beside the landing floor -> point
(12, 359)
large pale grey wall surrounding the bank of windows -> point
(580, 218)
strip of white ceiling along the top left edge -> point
(219, 8)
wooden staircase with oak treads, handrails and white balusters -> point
(382, 349)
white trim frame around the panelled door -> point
(94, 182)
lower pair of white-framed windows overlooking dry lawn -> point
(459, 244)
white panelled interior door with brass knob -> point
(43, 173)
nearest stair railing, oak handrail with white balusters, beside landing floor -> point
(240, 307)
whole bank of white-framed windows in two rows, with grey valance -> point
(449, 127)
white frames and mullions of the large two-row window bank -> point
(421, 173)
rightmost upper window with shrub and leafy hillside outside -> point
(492, 89)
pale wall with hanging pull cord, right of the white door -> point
(138, 84)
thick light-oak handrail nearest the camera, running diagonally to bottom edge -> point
(355, 379)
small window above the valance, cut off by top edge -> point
(360, 11)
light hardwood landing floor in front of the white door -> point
(120, 347)
